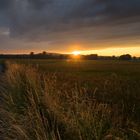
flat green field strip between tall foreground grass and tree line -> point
(87, 67)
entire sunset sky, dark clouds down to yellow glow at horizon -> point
(106, 27)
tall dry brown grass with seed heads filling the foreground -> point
(39, 106)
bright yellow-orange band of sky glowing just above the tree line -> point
(77, 50)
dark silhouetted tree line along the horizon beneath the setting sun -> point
(46, 55)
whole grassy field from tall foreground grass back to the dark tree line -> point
(70, 100)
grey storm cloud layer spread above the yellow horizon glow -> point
(86, 20)
